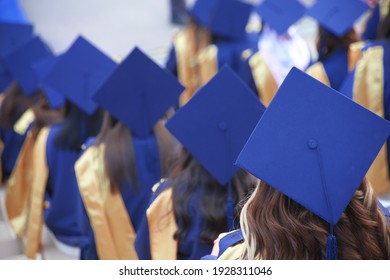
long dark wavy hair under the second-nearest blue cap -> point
(186, 178)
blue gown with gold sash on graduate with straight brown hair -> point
(112, 231)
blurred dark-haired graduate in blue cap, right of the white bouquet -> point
(336, 34)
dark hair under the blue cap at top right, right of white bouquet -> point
(327, 42)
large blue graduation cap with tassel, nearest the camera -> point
(314, 145)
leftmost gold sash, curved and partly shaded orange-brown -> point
(17, 197)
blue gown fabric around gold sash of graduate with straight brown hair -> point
(148, 173)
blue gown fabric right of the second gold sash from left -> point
(62, 193)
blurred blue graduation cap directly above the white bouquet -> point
(280, 14)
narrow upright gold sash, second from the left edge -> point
(39, 181)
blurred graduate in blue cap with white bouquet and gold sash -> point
(279, 47)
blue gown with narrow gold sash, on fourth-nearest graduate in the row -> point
(54, 197)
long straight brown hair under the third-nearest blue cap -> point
(119, 151)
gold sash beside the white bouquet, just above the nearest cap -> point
(265, 82)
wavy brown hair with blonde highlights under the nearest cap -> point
(276, 227)
